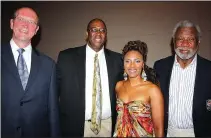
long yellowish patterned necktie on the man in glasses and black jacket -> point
(96, 98)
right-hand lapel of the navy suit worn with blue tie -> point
(35, 64)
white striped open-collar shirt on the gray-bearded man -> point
(181, 95)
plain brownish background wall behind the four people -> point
(63, 24)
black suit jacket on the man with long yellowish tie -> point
(71, 78)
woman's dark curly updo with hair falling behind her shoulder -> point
(141, 47)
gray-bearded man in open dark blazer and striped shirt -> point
(185, 82)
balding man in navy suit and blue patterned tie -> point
(29, 100)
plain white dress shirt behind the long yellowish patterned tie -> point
(106, 104)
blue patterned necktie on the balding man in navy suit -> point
(22, 68)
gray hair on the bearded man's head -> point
(186, 23)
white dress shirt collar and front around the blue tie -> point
(26, 54)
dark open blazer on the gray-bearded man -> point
(202, 92)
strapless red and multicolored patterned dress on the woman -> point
(133, 120)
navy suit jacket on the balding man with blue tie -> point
(33, 112)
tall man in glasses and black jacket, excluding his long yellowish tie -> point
(75, 77)
